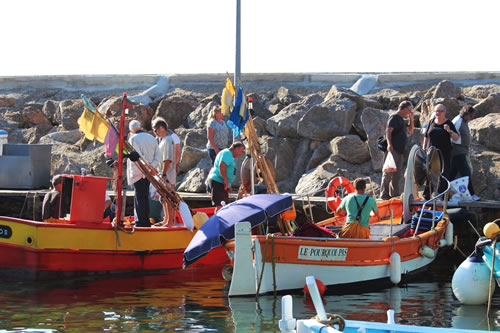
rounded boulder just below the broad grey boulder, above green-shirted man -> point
(351, 149)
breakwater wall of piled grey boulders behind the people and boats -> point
(311, 131)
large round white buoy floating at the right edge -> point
(471, 281)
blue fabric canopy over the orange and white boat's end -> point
(254, 209)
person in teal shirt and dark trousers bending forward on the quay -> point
(222, 174)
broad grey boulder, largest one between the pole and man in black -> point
(331, 118)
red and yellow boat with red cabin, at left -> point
(82, 243)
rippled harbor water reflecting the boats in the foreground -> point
(195, 300)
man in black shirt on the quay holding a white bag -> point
(396, 137)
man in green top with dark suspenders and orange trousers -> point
(358, 206)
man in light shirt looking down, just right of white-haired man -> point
(167, 166)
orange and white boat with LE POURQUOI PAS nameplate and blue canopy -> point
(278, 262)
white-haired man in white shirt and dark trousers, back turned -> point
(147, 147)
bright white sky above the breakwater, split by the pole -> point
(66, 37)
